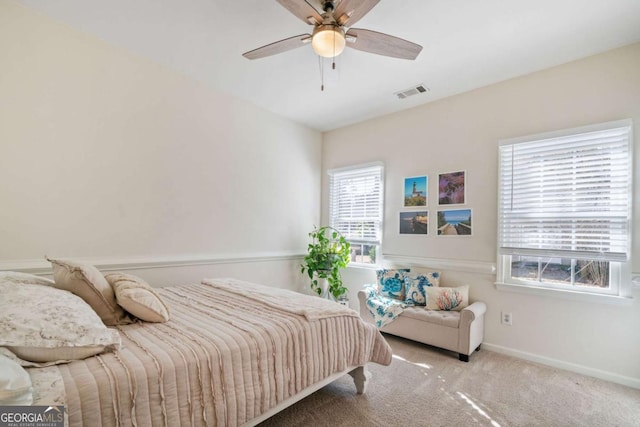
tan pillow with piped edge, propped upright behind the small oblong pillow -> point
(88, 283)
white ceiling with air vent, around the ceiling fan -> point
(467, 44)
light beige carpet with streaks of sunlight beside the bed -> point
(426, 386)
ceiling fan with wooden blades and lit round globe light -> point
(332, 31)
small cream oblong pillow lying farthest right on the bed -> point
(137, 297)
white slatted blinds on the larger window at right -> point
(567, 196)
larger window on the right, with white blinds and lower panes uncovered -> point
(564, 210)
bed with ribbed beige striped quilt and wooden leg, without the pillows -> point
(233, 353)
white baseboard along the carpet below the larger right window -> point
(555, 363)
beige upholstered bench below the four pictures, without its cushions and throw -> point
(460, 331)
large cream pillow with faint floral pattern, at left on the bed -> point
(45, 324)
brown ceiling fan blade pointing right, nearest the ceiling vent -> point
(382, 44)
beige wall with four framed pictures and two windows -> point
(462, 133)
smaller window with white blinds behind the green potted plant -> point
(356, 209)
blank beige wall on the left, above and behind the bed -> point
(105, 155)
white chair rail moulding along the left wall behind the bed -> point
(42, 266)
